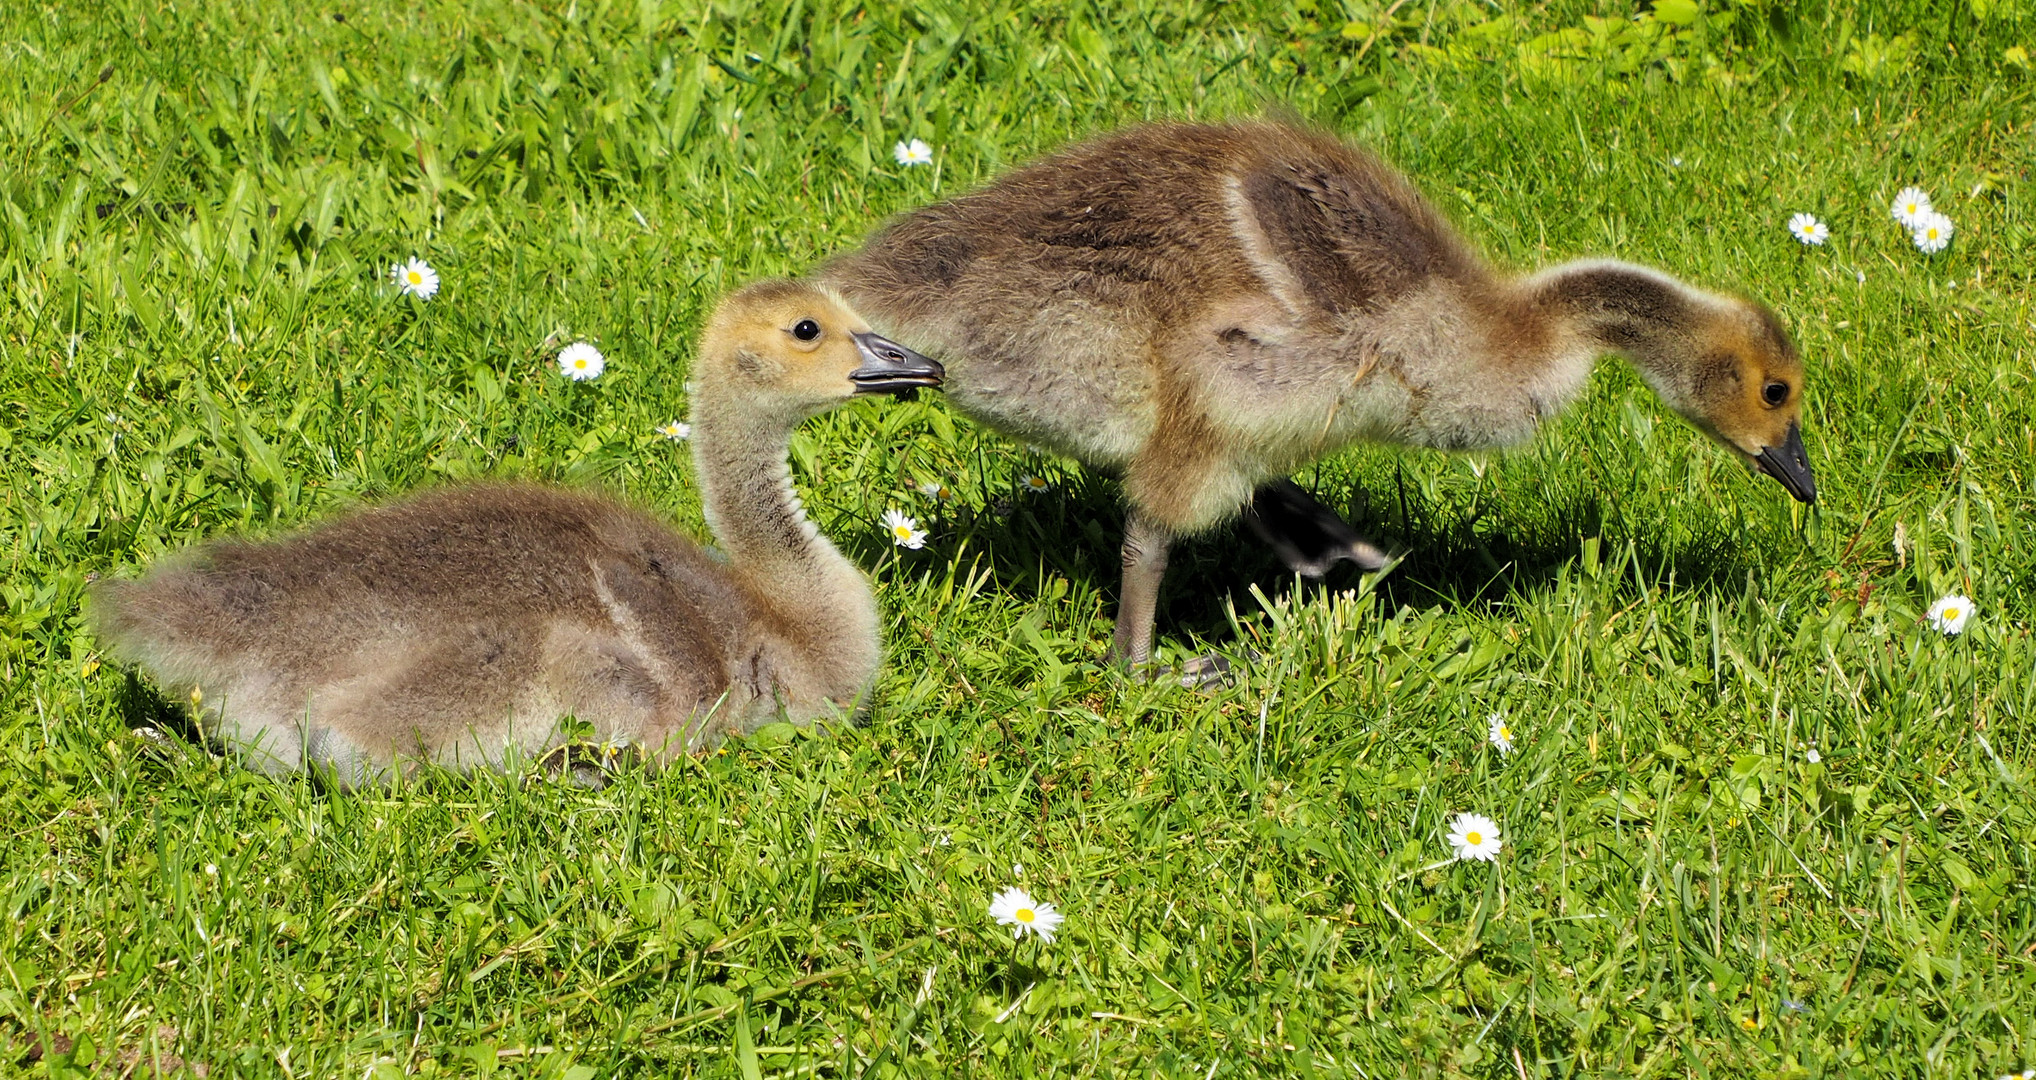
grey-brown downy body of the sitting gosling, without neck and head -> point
(494, 610)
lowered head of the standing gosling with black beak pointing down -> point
(1746, 392)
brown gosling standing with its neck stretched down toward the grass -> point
(1208, 309)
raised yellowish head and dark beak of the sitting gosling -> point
(793, 349)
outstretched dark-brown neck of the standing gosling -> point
(1644, 315)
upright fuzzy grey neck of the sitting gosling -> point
(746, 490)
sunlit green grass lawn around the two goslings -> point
(199, 207)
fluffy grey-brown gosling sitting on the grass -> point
(459, 627)
